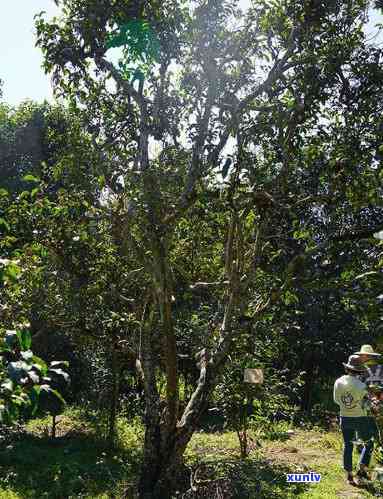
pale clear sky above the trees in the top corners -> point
(20, 60)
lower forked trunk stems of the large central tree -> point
(166, 439)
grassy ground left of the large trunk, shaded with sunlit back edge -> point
(77, 463)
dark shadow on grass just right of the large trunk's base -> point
(252, 478)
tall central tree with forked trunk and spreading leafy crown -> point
(201, 91)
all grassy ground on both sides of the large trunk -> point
(77, 464)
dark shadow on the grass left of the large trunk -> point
(36, 467)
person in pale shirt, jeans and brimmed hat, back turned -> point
(350, 393)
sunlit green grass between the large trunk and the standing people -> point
(263, 475)
